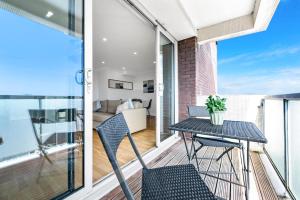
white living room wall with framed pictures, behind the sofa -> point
(102, 92)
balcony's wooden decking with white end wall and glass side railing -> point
(273, 165)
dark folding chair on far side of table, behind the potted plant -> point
(200, 111)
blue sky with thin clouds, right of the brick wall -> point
(264, 63)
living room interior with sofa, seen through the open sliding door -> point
(124, 77)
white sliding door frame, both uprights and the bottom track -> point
(89, 190)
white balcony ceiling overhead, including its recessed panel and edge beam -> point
(211, 20)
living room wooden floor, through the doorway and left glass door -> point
(38, 179)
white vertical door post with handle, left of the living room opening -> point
(88, 104)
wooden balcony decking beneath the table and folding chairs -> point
(177, 155)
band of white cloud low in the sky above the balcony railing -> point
(274, 81)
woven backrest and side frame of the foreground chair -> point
(111, 132)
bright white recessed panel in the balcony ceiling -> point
(205, 13)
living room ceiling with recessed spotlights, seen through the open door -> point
(126, 32)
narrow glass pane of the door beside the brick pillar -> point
(167, 90)
